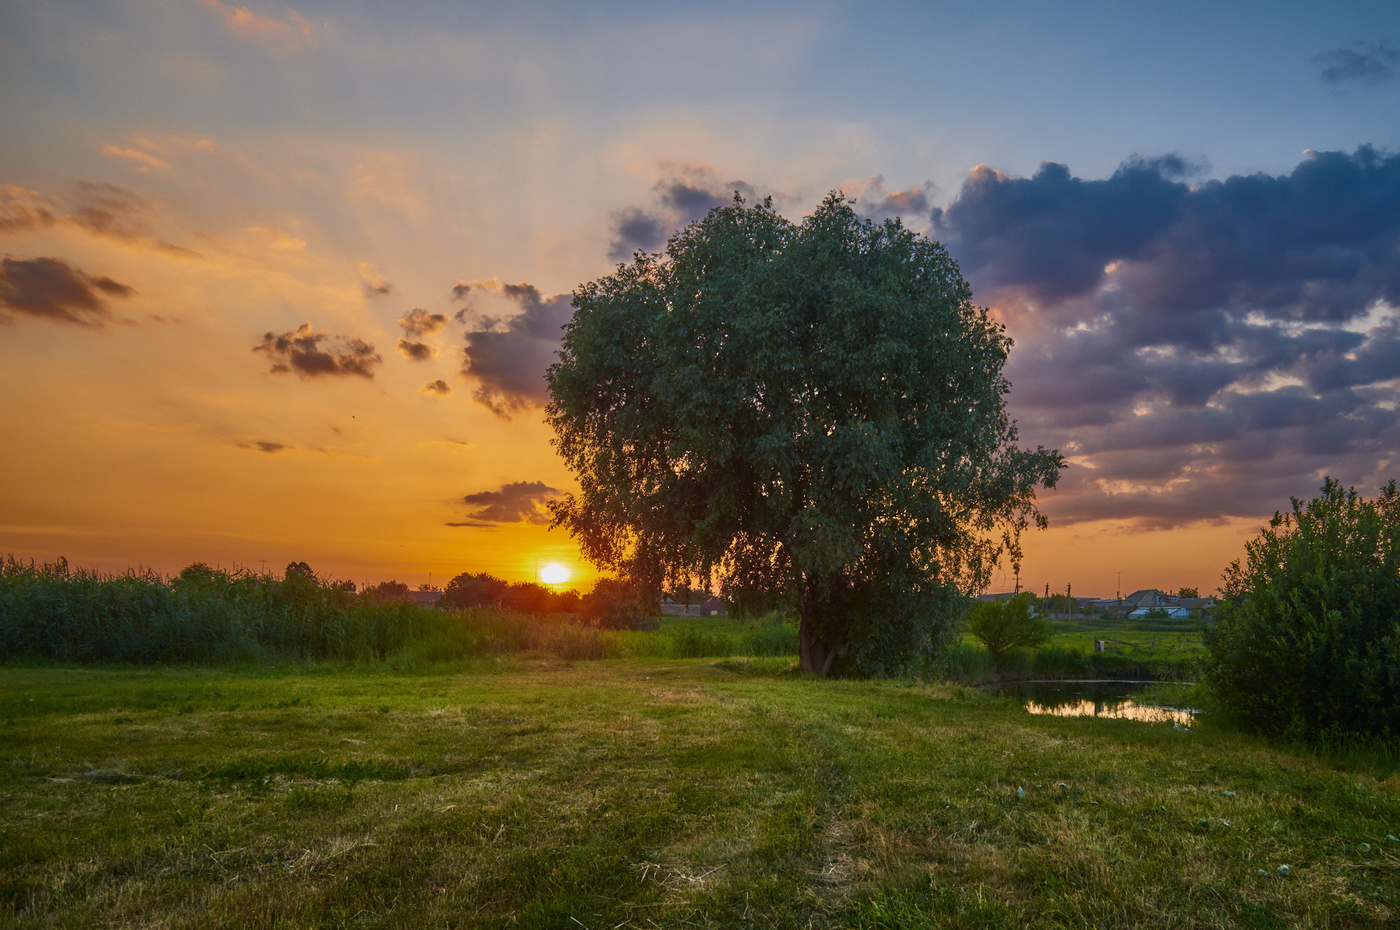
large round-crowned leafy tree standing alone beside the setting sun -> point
(807, 408)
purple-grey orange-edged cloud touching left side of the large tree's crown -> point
(509, 358)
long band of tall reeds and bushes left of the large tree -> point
(52, 613)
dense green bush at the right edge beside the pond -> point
(1307, 642)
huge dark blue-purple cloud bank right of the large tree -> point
(1200, 351)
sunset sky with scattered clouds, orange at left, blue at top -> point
(282, 282)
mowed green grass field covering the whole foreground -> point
(671, 793)
